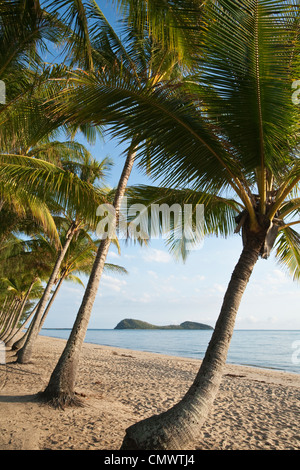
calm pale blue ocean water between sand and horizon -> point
(271, 349)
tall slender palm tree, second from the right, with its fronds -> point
(145, 64)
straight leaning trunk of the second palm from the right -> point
(60, 389)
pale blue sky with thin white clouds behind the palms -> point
(161, 290)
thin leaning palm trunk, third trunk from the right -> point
(25, 353)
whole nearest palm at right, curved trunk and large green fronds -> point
(230, 129)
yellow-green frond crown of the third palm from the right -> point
(31, 170)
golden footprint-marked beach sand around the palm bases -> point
(255, 409)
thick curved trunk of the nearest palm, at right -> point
(180, 426)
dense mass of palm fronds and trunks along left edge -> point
(50, 187)
